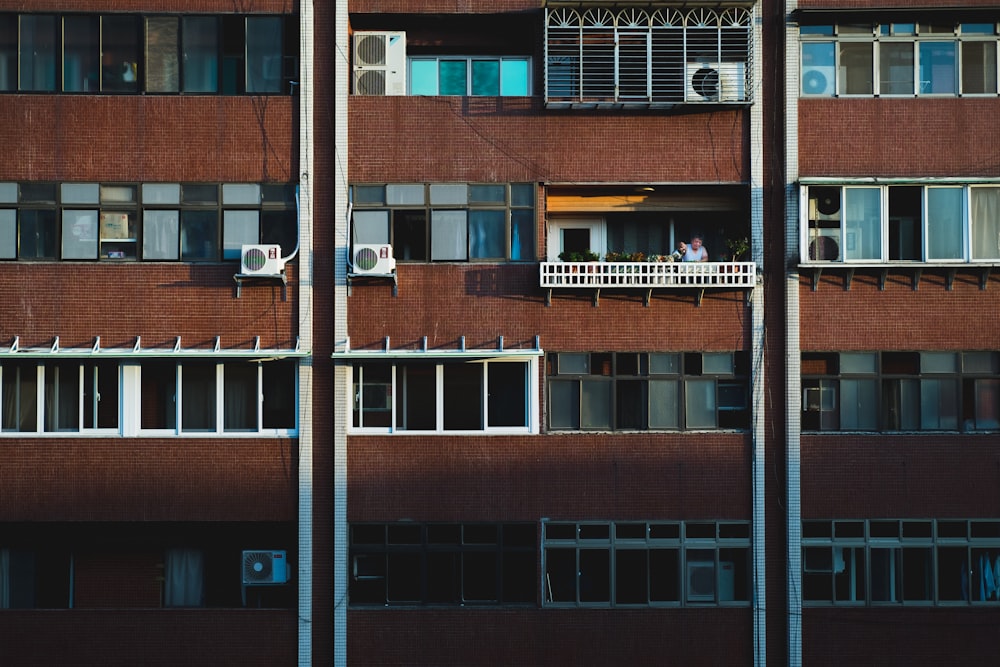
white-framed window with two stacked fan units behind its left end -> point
(904, 223)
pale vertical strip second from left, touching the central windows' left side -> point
(341, 373)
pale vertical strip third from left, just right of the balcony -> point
(758, 415)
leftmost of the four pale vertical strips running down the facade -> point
(304, 246)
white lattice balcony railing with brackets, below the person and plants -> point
(646, 276)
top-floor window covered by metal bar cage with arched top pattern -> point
(635, 55)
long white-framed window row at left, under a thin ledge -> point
(91, 396)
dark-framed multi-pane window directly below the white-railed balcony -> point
(605, 391)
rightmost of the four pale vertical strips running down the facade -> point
(793, 378)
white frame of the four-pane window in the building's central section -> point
(532, 404)
